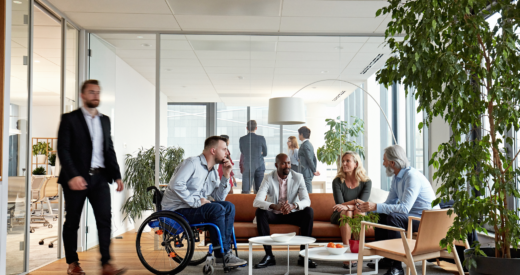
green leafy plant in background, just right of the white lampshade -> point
(337, 140)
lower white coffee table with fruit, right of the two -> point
(321, 254)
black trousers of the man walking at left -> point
(98, 193)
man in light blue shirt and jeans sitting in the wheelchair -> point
(194, 180)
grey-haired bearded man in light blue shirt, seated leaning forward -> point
(410, 194)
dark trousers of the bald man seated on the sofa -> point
(302, 218)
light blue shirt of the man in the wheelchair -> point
(191, 181)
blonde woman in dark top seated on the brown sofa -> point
(351, 184)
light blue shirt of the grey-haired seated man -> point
(410, 194)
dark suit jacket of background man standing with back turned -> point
(254, 149)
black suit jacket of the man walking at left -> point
(75, 148)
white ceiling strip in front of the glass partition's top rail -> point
(336, 16)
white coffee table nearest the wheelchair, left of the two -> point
(296, 240)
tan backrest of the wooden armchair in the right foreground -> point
(432, 229)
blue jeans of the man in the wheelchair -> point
(220, 213)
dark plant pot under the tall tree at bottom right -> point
(494, 266)
